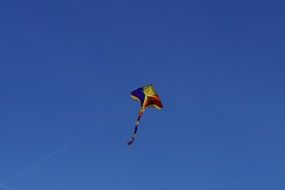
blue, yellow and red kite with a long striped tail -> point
(147, 97)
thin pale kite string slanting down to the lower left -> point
(49, 156)
